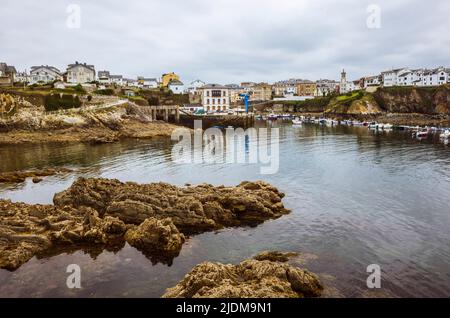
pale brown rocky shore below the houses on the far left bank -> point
(90, 126)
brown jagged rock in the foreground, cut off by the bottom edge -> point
(265, 276)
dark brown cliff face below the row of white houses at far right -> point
(431, 101)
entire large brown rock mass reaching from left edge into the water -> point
(97, 214)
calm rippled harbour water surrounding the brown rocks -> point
(357, 198)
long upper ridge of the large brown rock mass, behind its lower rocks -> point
(193, 209)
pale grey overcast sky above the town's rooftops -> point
(227, 41)
